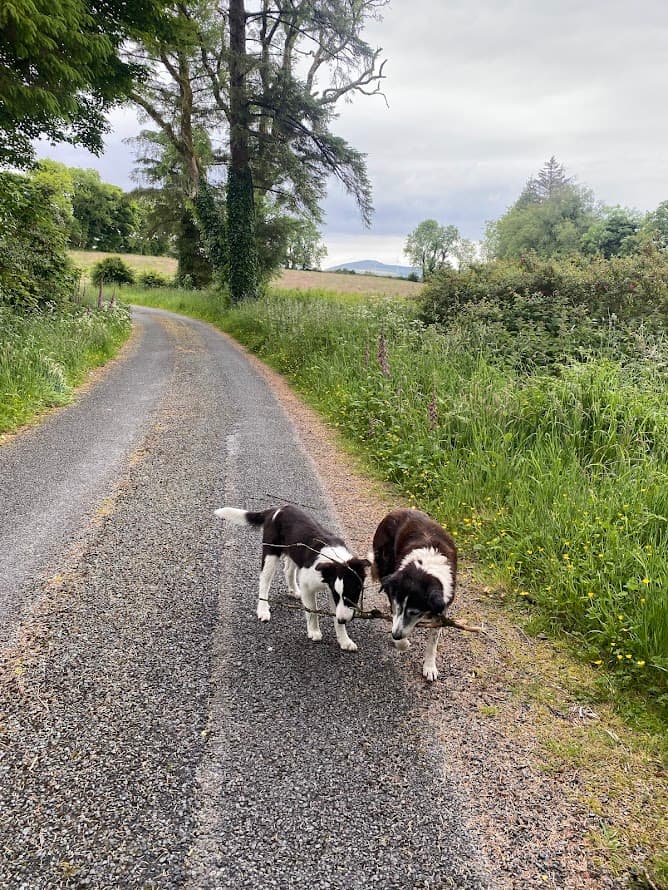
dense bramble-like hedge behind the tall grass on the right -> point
(545, 312)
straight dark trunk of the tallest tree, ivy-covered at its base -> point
(240, 200)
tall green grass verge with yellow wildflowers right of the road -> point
(558, 484)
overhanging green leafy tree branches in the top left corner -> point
(60, 69)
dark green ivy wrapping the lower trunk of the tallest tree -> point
(241, 234)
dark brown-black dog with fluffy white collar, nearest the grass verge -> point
(415, 561)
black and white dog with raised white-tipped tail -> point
(314, 559)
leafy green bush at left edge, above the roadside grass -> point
(34, 220)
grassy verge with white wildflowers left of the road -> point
(44, 355)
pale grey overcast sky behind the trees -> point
(480, 95)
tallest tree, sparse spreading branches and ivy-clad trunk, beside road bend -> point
(274, 77)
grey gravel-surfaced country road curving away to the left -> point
(153, 733)
